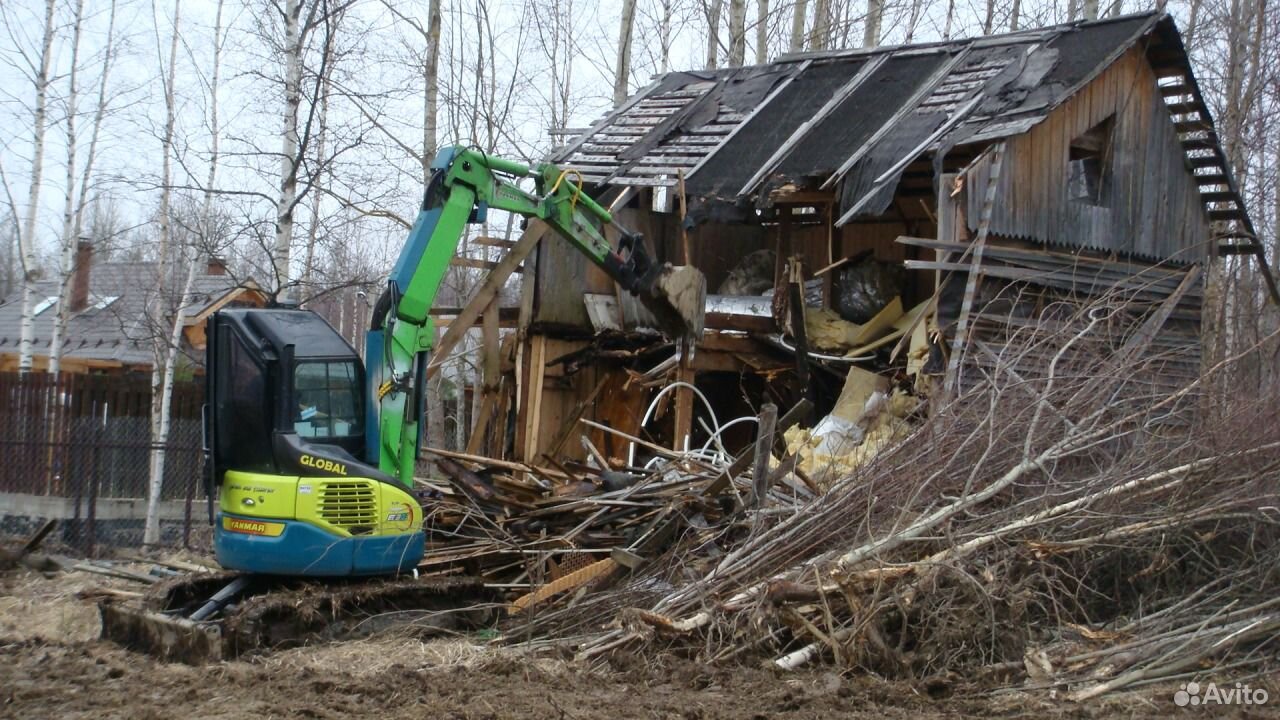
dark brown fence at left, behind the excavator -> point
(79, 449)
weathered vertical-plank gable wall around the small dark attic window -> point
(1150, 208)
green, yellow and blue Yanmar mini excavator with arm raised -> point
(312, 453)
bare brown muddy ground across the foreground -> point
(53, 666)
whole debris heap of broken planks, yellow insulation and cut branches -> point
(1072, 530)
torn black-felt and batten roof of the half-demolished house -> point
(853, 121)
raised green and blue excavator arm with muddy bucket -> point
(465, 185)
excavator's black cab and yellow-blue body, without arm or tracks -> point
(286, 445)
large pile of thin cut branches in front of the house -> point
(1067, 522)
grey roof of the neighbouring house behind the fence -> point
(113, 329)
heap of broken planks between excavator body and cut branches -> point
(545, 535)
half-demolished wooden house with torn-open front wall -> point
(829, 195)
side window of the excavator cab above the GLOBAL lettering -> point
(327, 398)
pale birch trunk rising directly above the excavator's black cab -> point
(289, 148)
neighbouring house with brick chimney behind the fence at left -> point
(111, 327)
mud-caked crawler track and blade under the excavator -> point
(281, 613)
